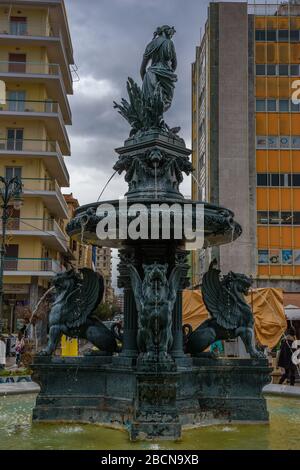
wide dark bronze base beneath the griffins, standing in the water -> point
(149, 405)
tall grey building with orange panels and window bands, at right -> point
(246, 136)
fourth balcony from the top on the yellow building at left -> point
(46, 150)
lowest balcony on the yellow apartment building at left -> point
(41, 267)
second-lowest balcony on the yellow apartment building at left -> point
(47, 229)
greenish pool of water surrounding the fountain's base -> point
(19, 433)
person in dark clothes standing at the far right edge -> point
(285, 358)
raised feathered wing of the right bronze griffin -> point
(218, 300)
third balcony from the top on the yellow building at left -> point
(48, 111)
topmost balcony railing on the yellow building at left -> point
(28, 28)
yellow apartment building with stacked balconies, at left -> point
(35, 58)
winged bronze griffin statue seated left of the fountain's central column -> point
(77, 295)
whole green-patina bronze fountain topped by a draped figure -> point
(152, 387)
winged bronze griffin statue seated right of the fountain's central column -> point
(231, 316)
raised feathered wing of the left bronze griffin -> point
(88, 296)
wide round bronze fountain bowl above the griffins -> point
(214, 225)
